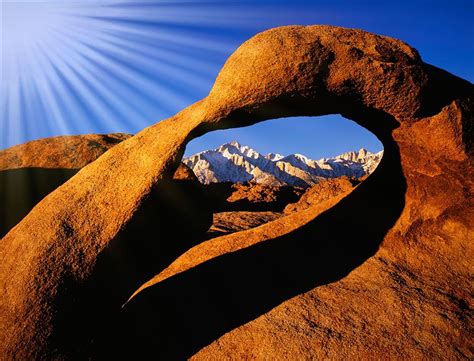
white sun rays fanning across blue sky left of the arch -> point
(83, 67)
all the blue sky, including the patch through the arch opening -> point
(75, 67)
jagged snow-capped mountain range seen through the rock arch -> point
(237, 163)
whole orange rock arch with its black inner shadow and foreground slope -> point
(384, 272)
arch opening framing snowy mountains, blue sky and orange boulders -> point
(255, 174)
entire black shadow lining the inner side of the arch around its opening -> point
(177, 317)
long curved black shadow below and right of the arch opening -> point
(178, 316)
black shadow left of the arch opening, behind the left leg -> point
(171, 220)
